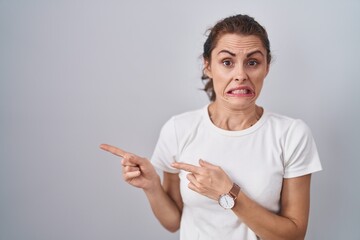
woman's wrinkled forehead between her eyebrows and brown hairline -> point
(239, 43)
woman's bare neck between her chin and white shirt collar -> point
(234, 119)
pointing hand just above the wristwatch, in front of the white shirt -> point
(207, 179)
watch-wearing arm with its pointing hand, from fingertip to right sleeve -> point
(291, 223)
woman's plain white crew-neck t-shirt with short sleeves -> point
(257, 159)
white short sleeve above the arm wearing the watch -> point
(300, 152)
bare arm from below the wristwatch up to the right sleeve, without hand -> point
(290, 223)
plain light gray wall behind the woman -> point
(76, 73)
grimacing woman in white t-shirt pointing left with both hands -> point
(232, 170)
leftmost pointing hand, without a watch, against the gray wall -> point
(137, 171)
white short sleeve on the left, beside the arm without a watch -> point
(166, 148)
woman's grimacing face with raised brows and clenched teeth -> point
(238, 68)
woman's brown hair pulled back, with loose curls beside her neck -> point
(239, 24)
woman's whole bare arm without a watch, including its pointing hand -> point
(165, 201)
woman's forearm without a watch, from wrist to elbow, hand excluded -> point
(164, 208)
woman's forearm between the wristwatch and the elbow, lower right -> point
(268, 225)
